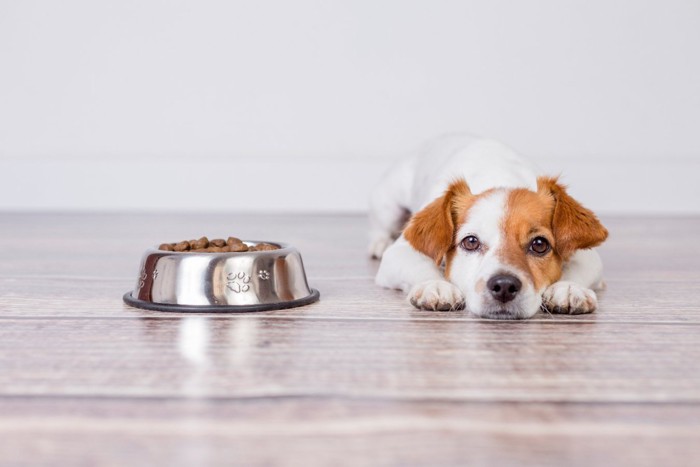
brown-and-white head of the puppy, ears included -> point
(504, 247)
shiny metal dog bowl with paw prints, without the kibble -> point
(221, 282)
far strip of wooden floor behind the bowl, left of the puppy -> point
(112, 245)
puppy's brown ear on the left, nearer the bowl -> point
(431, 230)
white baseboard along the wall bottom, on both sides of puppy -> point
(309, 185)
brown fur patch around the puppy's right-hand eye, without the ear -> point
(529, 216)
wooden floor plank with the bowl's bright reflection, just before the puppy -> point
(404, 360)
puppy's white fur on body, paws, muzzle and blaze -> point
(484, 164)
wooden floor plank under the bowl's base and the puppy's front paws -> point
(347, 298)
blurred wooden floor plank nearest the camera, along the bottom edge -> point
(312, 432)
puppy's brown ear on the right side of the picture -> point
(574, 226)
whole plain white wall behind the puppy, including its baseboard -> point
(299, 105)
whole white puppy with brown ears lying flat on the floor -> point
(467, 223)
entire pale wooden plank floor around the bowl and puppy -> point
(359, 378)
